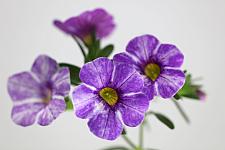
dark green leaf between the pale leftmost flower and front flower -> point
(74, 73)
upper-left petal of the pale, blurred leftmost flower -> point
(23, 86)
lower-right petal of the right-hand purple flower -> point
(170, 82)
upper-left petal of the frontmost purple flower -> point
(97, 73)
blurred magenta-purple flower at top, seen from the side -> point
(97, 22)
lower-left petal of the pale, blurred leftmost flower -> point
(25, 114)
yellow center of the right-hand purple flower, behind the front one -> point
(152, 71)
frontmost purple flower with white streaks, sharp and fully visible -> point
(109, 90)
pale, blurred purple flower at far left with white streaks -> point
(39, 94)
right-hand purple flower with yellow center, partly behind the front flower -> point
(159, 63)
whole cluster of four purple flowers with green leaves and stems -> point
(109, 93)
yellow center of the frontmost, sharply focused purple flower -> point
(109, 95)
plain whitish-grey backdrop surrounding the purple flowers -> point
(197, 27)
